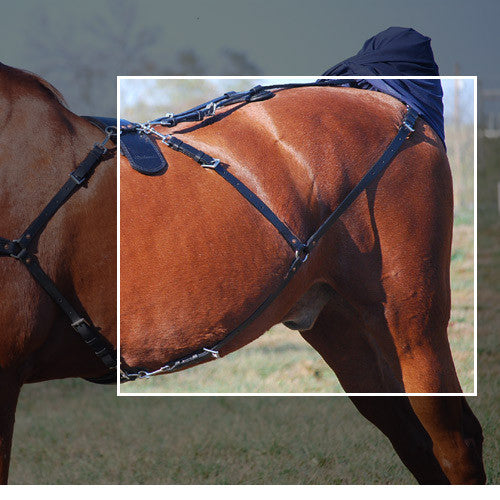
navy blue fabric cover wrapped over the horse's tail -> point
(399, 52)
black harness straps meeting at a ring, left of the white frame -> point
(21, 250)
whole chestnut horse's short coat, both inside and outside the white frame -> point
(196, 257)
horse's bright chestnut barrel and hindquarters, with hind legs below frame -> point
(374, 296)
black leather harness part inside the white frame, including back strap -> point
(302, 249)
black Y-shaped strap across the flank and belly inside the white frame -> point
(302, 249)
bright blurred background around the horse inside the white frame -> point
(281, 361)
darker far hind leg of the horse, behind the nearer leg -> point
(339, 338)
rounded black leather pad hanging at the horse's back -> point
(141, 151)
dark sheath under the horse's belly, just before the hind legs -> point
(305, 312)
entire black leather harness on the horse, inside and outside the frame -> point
(145, 156)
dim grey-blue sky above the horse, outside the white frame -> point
(81, 47)
